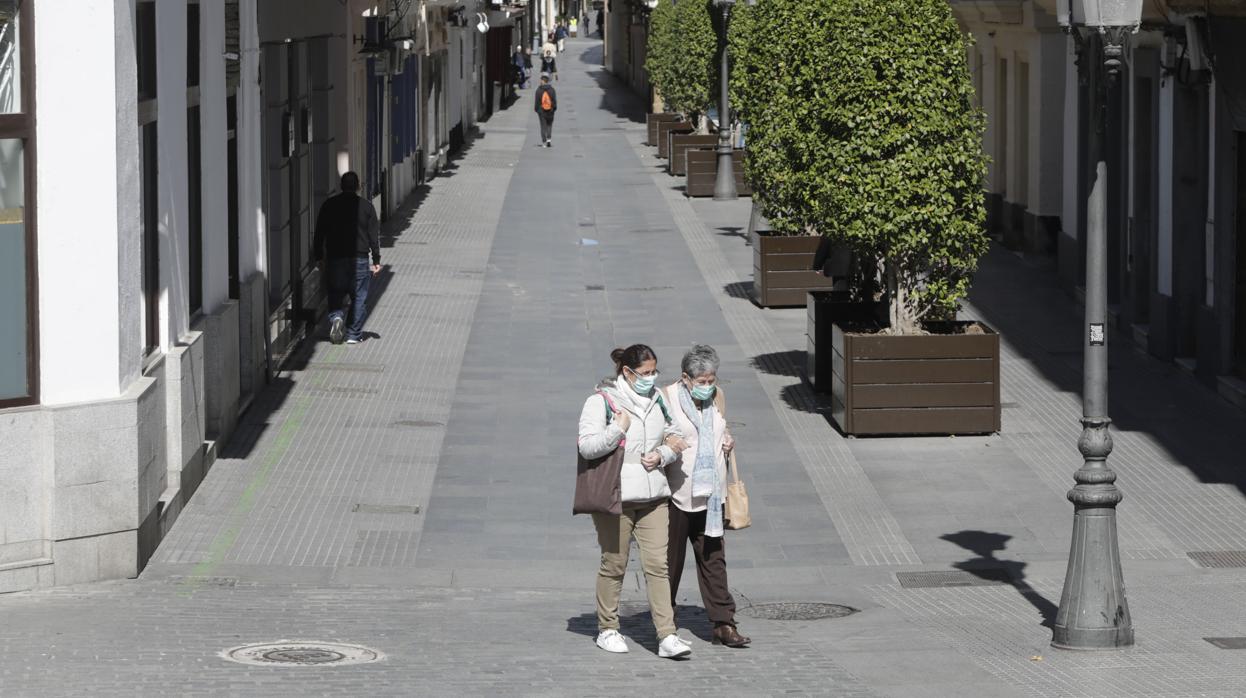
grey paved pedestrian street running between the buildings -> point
(413, 494)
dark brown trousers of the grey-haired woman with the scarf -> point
(711, 564)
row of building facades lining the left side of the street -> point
(156, 237)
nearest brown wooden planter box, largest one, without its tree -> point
(924, 385)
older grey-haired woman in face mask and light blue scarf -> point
(698, 482)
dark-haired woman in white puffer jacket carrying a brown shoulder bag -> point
(627, 409)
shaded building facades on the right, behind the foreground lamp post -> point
(1177, 184)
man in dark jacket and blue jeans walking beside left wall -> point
(347, 232)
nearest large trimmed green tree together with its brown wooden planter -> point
(868, 133)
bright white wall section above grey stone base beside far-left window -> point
(88, 244)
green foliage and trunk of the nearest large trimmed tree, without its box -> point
(863, 128)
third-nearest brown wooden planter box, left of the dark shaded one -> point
(783, 269)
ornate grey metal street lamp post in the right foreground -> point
(1095, 614)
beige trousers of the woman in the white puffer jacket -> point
(650, 524)
